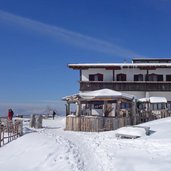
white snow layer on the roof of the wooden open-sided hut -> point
(105, 93)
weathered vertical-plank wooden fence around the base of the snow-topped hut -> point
(99, 123)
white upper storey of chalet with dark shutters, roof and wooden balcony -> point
(141, 78)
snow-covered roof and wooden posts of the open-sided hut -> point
(104, 95)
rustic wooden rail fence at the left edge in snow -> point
(10, 130)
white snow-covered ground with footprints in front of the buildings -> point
(53, 149)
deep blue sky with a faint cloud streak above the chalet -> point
(39, 38)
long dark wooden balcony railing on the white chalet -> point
(126, 85)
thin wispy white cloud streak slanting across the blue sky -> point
(68, 36)
